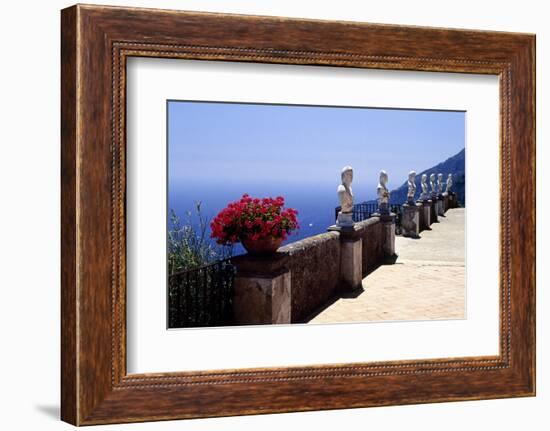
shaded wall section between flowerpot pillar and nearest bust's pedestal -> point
(314, 265)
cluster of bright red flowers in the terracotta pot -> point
(253, 218)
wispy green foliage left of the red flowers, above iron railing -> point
(189, 245)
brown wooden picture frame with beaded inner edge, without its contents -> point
(95, 42)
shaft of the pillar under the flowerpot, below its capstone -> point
(262, 300)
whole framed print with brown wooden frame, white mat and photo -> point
(264, 214)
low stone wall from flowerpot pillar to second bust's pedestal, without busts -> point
(303, 276)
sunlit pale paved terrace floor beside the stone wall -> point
(426, 282)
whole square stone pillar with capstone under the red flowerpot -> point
(262, 291)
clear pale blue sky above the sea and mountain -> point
(266, 147)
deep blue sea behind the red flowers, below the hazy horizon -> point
(315, 205)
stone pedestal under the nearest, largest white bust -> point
(351, 258)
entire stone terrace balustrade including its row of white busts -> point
(304, 276)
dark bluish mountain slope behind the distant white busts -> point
(453, 165)
